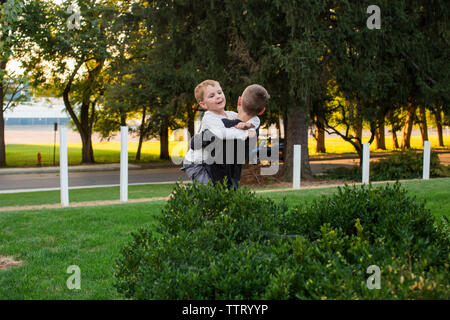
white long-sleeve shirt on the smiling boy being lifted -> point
(213, 122)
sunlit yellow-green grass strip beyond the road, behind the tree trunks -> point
(25, 155)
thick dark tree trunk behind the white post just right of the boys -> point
(297, 134)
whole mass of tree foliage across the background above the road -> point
(318, 59)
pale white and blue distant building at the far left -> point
(37, 112)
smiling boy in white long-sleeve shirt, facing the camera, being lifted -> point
(210, 97)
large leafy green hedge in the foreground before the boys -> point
(215, 243)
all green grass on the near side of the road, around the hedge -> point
(49, 241)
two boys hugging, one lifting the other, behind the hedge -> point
(220, 126)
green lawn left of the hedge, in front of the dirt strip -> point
(49, 241)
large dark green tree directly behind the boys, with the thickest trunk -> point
(237, 44)
